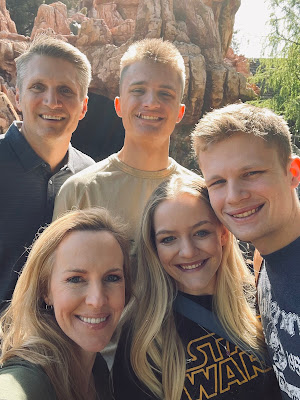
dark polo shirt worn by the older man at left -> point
(27, 192)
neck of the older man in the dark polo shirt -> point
(51, 150)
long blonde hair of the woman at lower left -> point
(27, 329)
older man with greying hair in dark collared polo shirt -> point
(36, 154)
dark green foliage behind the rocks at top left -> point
(23, 12)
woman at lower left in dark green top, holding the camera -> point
(65, 308)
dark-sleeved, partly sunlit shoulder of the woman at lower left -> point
(22, 380)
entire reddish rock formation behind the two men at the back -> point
(201, 30)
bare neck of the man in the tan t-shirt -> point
(145, 158)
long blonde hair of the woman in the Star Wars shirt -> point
(157, 353)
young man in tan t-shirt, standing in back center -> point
(151, 86)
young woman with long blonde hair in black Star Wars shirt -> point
(193, 333)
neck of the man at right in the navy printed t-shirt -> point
(283, 236)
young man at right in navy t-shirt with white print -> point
(246, 158)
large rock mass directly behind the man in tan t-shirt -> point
(202, 31)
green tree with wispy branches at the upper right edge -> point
(279, 74)
